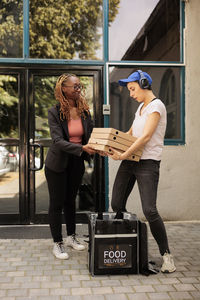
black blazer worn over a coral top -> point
(60, 149)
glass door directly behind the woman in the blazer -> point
(91, 192)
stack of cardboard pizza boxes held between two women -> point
(103, 138)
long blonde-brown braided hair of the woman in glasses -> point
(82, 105)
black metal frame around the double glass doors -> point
(25, 74)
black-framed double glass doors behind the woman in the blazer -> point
(26, 94)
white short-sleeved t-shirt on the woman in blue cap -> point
(153, 148)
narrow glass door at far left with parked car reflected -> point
(12, 147)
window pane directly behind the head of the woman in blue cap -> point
(166, 86)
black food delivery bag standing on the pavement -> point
(117, 245)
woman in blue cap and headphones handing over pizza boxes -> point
(149, 127)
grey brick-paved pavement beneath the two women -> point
(28, 270)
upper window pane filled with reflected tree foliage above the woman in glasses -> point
(66, 29)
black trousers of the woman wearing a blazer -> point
(63, 188)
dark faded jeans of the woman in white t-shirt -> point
(146, 173)
